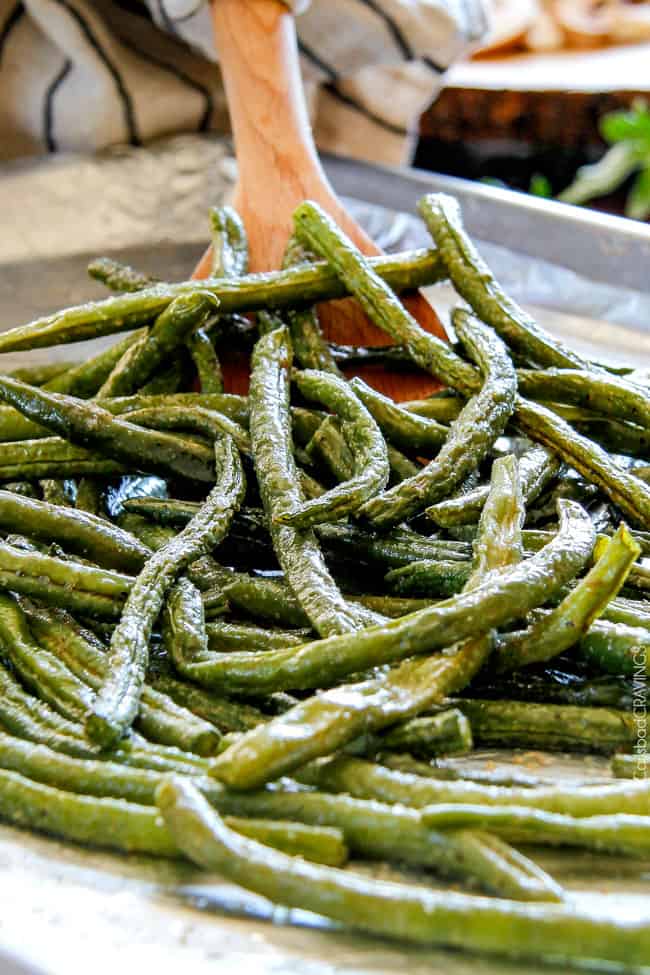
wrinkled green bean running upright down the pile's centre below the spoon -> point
(297, 551)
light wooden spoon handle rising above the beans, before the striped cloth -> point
(277, 159)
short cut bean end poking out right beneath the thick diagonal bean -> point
(447, 733)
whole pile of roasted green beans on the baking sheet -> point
(203, 593)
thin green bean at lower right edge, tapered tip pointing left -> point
(627, 835)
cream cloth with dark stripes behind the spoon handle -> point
(85, 74)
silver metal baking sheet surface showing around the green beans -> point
(69, 911)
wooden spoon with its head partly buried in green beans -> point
(278, 168)
